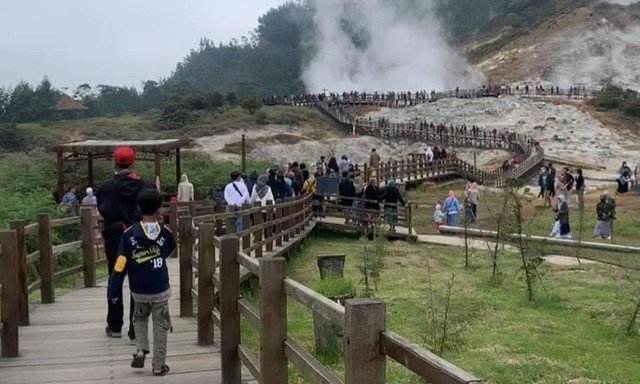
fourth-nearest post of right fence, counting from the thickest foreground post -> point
(206, 268)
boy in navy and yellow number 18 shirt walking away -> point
(143, 254)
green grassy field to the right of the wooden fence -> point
(574, 332)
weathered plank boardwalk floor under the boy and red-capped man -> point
(66, 343)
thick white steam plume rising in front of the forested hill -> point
(379, 45)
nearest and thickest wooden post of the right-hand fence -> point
(363, 323)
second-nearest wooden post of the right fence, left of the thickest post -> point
(273, 321)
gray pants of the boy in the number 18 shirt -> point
(161, 325)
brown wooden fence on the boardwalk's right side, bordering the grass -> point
(212, 275)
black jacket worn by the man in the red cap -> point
(118, 198)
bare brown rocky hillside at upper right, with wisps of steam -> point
(585, 46)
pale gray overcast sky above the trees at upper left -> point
(117, 42)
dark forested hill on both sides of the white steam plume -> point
(270, 61)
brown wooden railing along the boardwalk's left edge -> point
(17, 257)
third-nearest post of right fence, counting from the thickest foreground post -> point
(229, 315)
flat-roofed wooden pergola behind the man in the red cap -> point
(91, 150)
